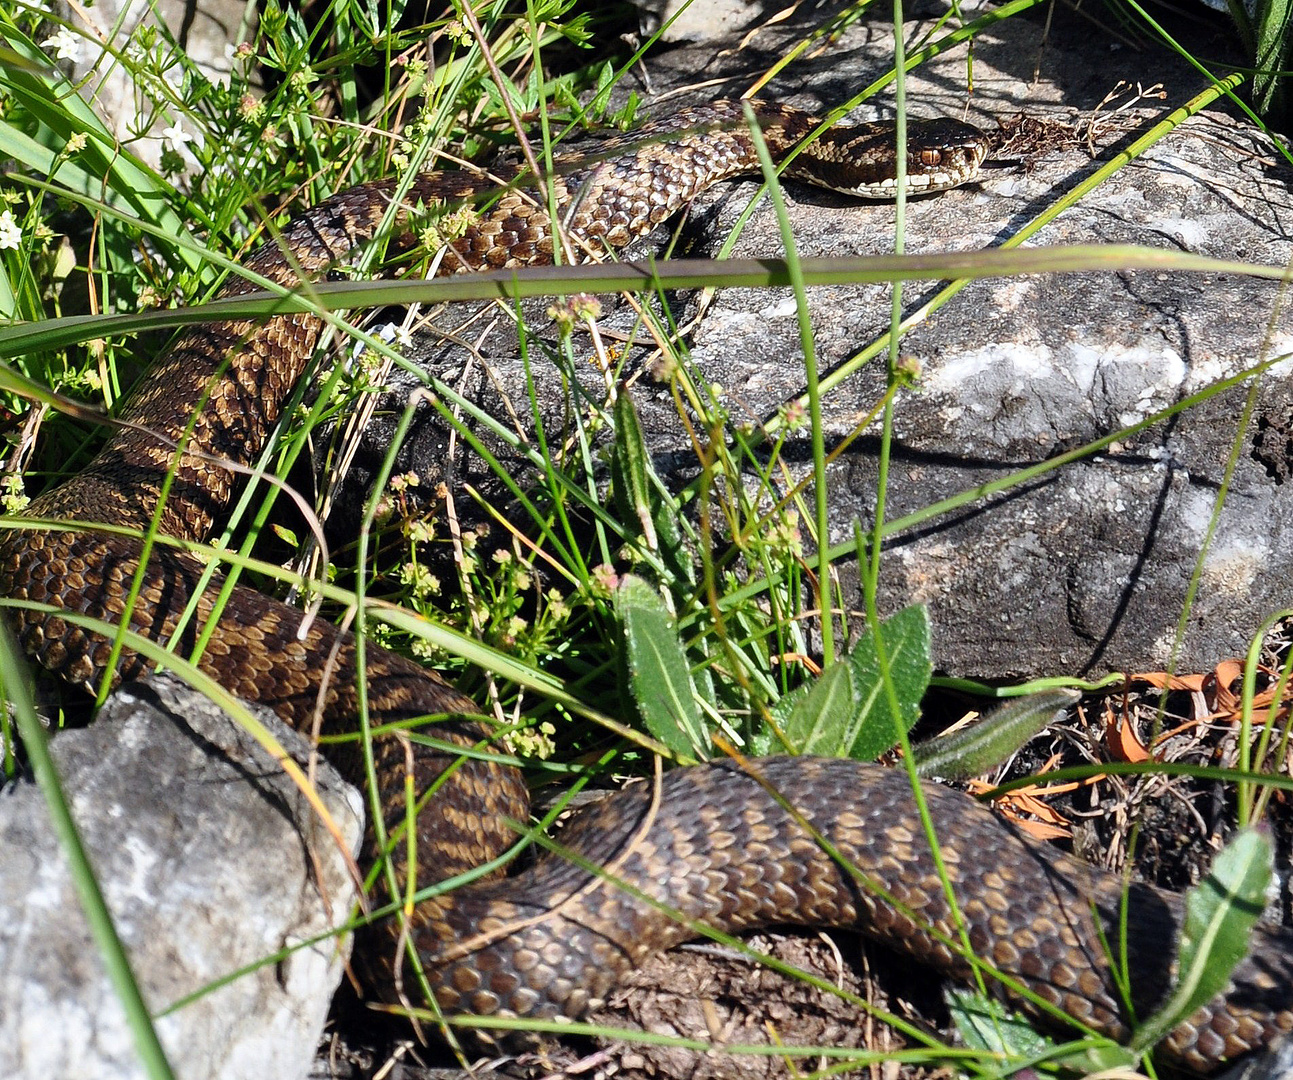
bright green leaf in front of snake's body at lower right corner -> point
(1220, 916)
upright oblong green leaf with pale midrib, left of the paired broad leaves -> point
(660, 678)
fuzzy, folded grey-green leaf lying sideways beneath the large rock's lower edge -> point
(985, 746)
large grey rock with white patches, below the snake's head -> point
(1085, 568)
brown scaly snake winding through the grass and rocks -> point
(716, 847)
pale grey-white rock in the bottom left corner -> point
(204, 850)
